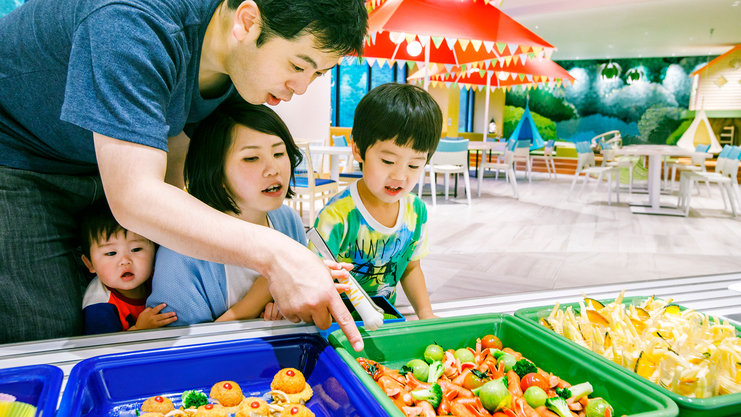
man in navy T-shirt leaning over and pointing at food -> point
(94, 98)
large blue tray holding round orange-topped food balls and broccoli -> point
(114, 385)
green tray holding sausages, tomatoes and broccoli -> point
(395, 344)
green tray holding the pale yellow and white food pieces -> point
(720, 406)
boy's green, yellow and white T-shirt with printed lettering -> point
(379, 254)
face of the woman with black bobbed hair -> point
(258, 172)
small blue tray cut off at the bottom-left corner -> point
(38, 385)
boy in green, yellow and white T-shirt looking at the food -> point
(376, 224)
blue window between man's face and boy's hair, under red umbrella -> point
(355, 80)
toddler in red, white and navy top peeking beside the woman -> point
(115, 300)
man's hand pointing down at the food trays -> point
(304, 290)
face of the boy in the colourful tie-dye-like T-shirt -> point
(391, 171)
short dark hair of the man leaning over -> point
(339, 26)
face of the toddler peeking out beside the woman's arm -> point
(122, 262)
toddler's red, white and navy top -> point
(106, 310)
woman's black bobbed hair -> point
(210, 144)
